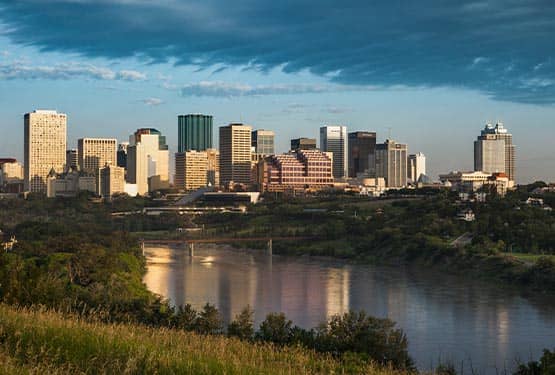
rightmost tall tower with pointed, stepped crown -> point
(494, 151)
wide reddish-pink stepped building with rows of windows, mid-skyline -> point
(298, 170)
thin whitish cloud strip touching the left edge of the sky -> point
(23, 70)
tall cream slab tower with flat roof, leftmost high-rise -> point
(45, 147)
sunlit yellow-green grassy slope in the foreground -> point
(34, 341)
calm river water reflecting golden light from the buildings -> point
(477, 325)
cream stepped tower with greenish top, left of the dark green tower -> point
(148, 161)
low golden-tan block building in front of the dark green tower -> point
(196, 169)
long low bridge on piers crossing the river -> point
(190, 242)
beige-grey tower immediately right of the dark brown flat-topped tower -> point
(391, 163)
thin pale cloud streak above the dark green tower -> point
(226, 89)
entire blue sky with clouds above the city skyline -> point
(430, 73)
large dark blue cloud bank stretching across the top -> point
(430, 43)
